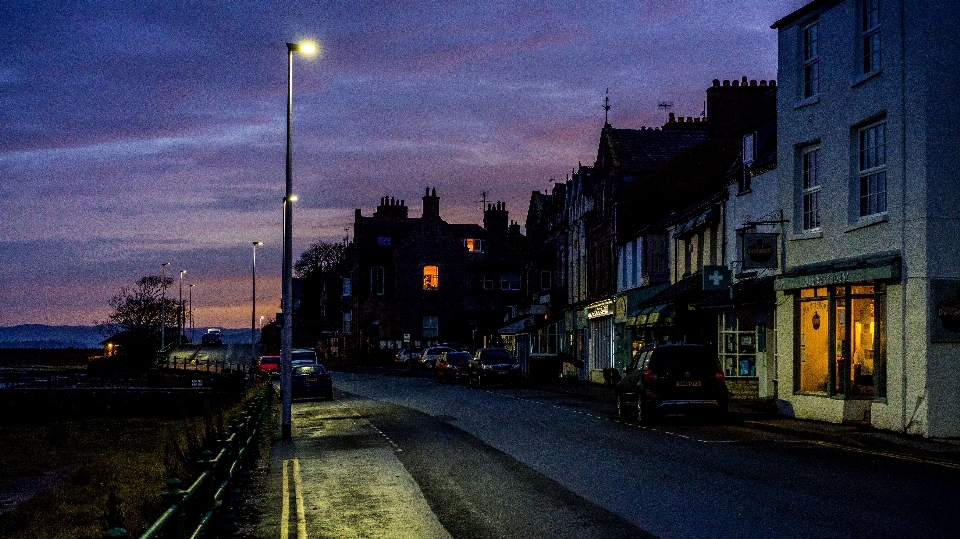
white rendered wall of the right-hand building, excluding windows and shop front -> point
(922, 113)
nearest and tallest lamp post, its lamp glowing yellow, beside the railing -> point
(286, 334)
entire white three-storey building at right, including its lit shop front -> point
(867, 150)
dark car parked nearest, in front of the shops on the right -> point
(671, 379)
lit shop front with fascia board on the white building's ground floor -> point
(839, 326)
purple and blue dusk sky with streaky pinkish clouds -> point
(138, 133)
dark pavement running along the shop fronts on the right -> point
(761, 415)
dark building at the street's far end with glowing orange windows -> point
(420, 280)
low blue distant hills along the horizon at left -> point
(44, 336)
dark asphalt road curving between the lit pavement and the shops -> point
(515, 462)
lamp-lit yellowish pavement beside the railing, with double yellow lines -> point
(339, 466)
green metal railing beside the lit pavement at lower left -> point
(207, 502)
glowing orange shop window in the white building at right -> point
(842, 340)
